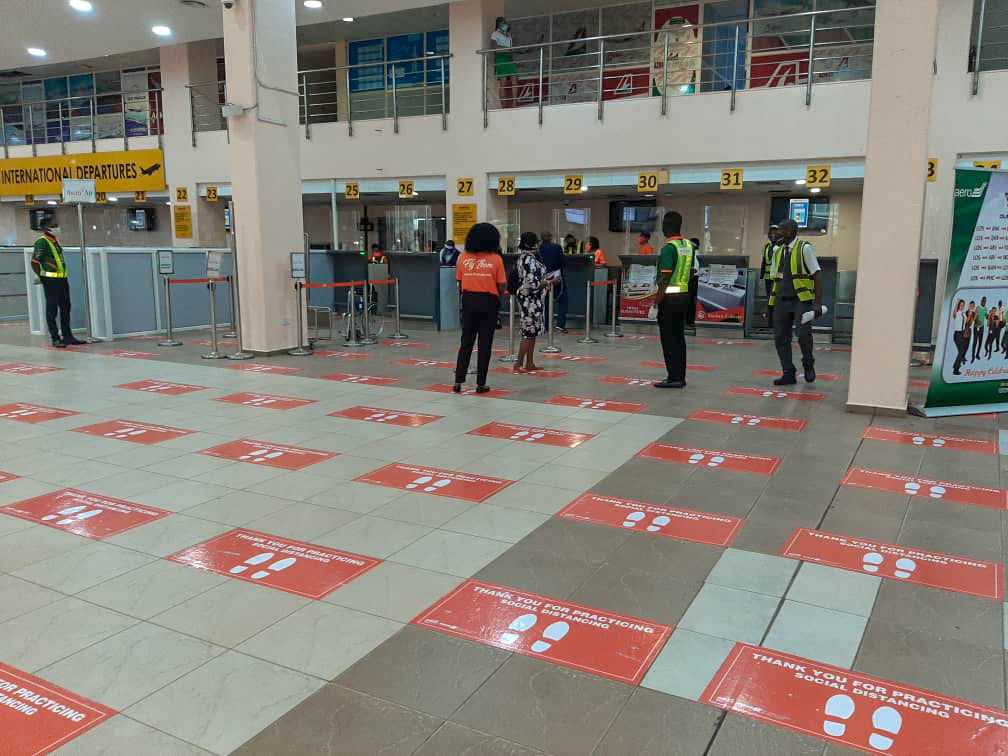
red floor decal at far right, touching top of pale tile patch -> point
(945, 571)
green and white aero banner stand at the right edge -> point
(971, 360)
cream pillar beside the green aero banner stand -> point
(894, 203)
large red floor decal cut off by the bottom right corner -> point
(850, 708)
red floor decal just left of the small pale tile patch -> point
(611, 646)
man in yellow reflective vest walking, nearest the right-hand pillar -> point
(797, 301)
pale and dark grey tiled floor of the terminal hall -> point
(245, 659)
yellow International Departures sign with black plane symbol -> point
(134, 171)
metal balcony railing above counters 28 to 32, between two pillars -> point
(788, 50)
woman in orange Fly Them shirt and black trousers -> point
(480, 273)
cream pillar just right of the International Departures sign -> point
(267, 168)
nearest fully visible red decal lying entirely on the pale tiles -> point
(293, 566)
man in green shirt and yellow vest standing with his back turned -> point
(676, 274)
